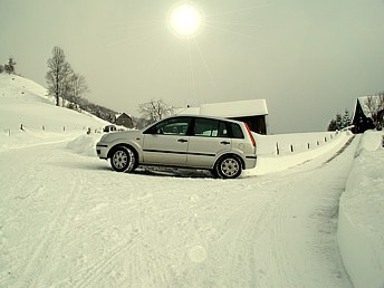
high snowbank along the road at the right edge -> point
(361, 215)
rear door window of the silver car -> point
(210, 128)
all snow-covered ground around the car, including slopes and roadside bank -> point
(67, 220)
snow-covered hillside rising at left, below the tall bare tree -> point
(23, 103)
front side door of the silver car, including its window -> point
(166, 143)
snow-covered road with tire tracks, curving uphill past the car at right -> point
(67, 220)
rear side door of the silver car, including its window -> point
(209, 137)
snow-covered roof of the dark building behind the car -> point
(229, 109)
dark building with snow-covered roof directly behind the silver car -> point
(253, 112)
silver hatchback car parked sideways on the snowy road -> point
(225, 147)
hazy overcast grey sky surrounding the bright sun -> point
(309, 59)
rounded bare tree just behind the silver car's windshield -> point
(155, 110)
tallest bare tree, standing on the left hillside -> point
(58, 74)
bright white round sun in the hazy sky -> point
(185, 20)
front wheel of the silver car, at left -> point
(123, 159)
